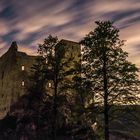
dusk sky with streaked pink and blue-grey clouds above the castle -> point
(29, 21)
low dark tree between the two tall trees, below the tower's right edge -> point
(83, 113)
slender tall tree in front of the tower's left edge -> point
(56, 74)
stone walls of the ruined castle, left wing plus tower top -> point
(15, 68)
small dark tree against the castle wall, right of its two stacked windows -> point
(37, 79)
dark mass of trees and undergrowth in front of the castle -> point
(67, 100)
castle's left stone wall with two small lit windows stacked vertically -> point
(14, 70)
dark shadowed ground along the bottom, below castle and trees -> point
(24, 123)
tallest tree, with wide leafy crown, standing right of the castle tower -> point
(115, 80)
